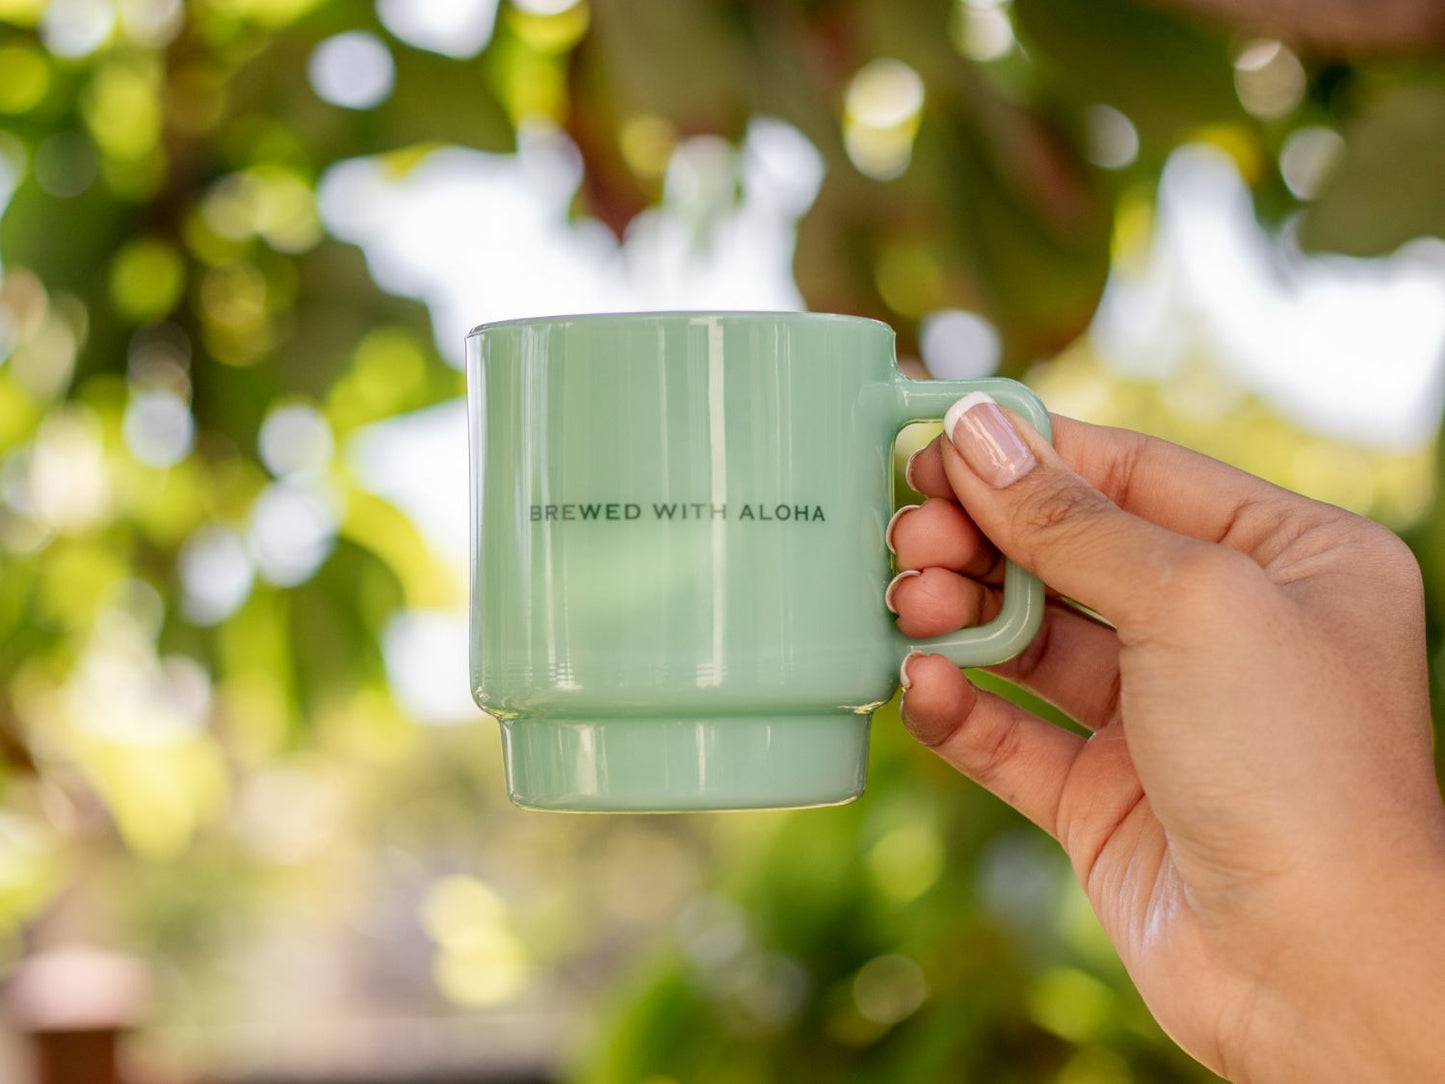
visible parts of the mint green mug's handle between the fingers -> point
(1017, 625)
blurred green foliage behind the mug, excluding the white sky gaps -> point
(170, 290)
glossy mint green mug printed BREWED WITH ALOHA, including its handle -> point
(678, 554)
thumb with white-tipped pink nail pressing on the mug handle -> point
(1053, 522)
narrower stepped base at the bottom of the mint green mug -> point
(681, 765)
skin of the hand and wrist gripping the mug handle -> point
(1255, 816)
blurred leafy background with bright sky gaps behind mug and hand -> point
(252, 827)
